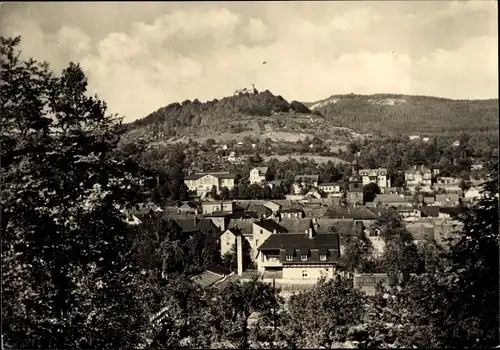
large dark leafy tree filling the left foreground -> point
(65, 249)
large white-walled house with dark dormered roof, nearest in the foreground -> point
(299, 257)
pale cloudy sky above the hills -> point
(140, 56)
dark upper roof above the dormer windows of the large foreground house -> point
(300, 240)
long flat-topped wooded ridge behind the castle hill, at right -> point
(403, 114)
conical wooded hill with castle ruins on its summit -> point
(258, 115)
